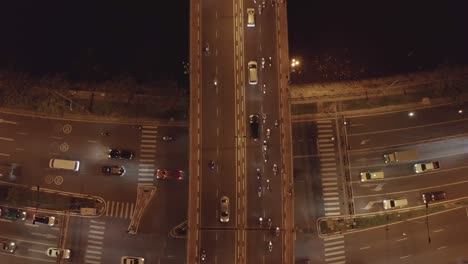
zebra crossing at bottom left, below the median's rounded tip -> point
(93, 252)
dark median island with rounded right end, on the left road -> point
(51, 200)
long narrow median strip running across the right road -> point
(329, 226)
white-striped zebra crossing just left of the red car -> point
(148, 146)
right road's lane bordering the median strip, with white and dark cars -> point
(373, 202)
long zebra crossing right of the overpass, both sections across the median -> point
(333, 246)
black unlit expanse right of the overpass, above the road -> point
(349, 40)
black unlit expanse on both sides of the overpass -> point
(148, 40)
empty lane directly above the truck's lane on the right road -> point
(388, 138)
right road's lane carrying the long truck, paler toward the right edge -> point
(426, 151)
